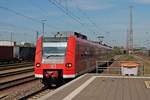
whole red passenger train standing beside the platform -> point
(58, 58)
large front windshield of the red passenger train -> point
(54, 49)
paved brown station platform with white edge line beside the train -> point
(98, 87)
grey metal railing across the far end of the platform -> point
(115, 68)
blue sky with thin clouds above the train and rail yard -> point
(110, 16)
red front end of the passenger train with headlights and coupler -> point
(53, 60)
